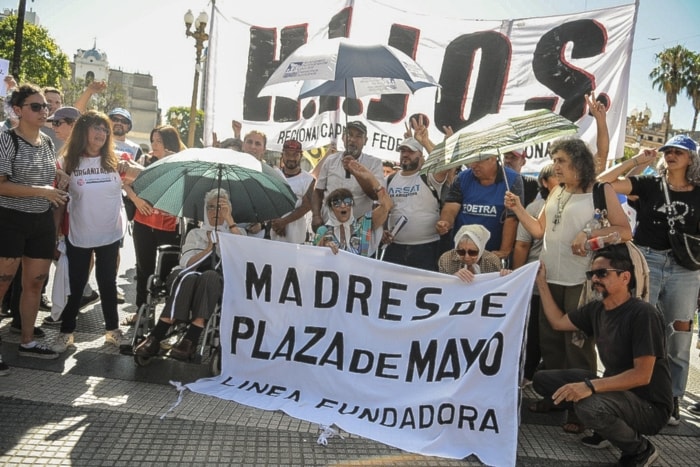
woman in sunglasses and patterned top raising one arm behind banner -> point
(342, 231)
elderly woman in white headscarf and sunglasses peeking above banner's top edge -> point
(470, 256)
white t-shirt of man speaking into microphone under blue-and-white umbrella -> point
(333, 176)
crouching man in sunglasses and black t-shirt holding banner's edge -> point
(633, 397)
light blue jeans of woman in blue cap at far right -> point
(674, 291)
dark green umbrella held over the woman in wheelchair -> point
(177, 184)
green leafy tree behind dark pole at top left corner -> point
(42, 63)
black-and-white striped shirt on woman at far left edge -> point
(32, 166)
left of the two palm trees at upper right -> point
(670, 76)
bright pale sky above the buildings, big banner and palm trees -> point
(148, 36)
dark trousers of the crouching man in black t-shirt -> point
(621, 417)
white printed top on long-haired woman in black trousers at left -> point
(95, 210)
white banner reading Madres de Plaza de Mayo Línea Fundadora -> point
(414, 359)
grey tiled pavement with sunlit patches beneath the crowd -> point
(96, 407)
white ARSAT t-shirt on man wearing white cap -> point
(413, 199)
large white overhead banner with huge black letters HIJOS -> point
(483, 67)
